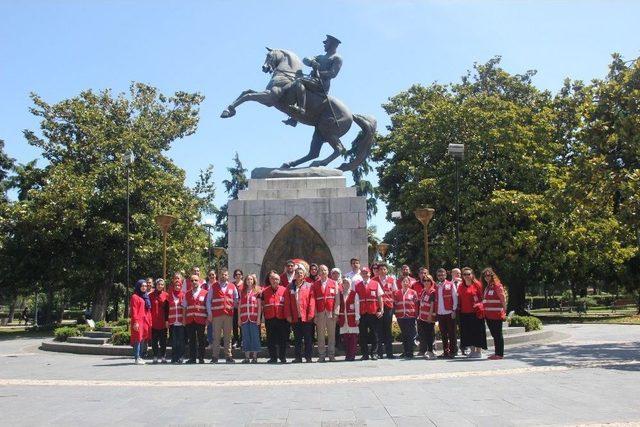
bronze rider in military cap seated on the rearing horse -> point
(325, 67)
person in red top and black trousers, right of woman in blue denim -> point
(273, 298)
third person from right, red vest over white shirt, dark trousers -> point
(446, 307)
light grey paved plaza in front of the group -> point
(590, 376)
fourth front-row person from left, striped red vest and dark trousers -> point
(195, 302)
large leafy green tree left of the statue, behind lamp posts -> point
(78, 216)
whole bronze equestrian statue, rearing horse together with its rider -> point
(305, 99)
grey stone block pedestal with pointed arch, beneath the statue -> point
(318, 219)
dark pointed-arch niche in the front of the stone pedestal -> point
(296, 239)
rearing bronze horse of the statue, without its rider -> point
(328, 115)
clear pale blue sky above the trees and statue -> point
(58, 48)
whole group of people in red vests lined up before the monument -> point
(357, 308)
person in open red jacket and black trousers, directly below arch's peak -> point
(300, 308)
